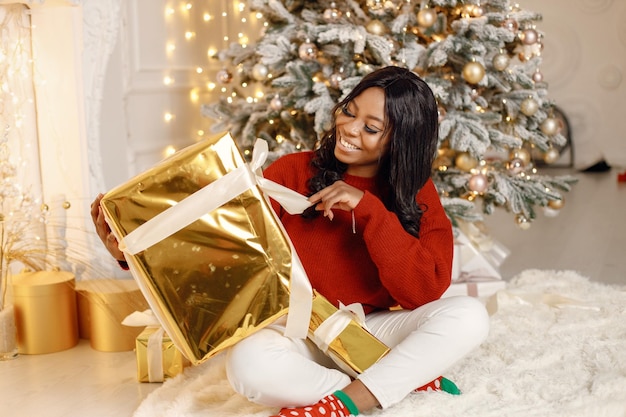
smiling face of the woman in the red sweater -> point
(361, 137)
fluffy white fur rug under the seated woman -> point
(557, 347)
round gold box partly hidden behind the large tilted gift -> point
(102, 305)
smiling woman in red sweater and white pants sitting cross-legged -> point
(376, 234)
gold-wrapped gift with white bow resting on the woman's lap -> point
(340, 333)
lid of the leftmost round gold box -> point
(42, 283)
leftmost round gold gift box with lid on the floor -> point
(45, 311)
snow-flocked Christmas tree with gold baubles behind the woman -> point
(481, 59)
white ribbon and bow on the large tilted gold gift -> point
(218, 193)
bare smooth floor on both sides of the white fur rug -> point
(587, 236)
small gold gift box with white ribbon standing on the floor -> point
(157, 357)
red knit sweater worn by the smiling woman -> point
(380, 266)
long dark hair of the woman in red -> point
(412, 121)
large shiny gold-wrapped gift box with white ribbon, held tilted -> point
(206, 248)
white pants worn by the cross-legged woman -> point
(271, 369)
